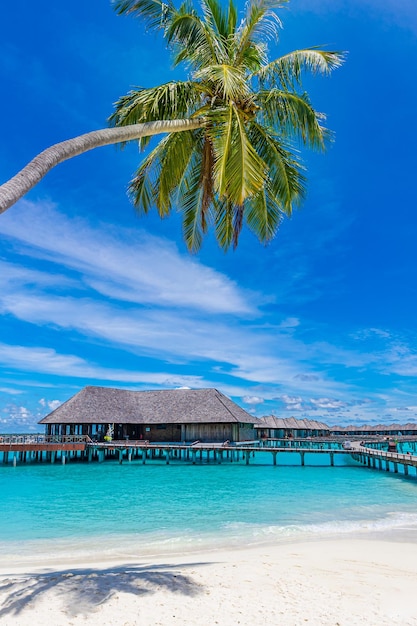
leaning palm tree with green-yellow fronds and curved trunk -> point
(230, 155)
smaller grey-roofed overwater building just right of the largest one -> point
(271, 427)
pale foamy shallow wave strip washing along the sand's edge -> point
(234, 535)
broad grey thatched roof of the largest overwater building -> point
(102, 405)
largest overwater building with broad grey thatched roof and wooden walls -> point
(177, 415)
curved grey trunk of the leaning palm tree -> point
(29, 176)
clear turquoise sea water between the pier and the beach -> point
(111, 510)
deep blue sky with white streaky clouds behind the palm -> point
(321, 323)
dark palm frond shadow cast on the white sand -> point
(83, 590)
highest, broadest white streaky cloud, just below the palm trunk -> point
(132, 266)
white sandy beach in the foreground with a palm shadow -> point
(323, 583)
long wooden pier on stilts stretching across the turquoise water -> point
(17, 450)
